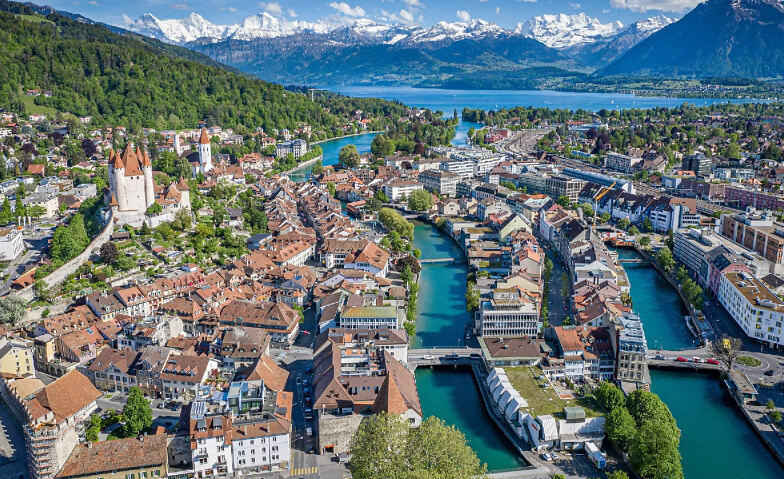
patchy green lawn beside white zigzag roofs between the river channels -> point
(544, 400)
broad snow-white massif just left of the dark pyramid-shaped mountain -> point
(563, 31)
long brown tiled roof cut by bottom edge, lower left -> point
(116, 455)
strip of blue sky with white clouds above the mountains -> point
(423, 12)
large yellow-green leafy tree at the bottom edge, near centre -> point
(385, 445)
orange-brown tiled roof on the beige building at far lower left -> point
(65, 397)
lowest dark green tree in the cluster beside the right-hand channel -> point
(654, 452)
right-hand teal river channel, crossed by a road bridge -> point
(716, 440)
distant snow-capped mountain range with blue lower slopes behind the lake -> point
(457, 54)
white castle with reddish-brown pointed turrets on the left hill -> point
(132, 190)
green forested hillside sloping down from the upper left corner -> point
(120, 79)
